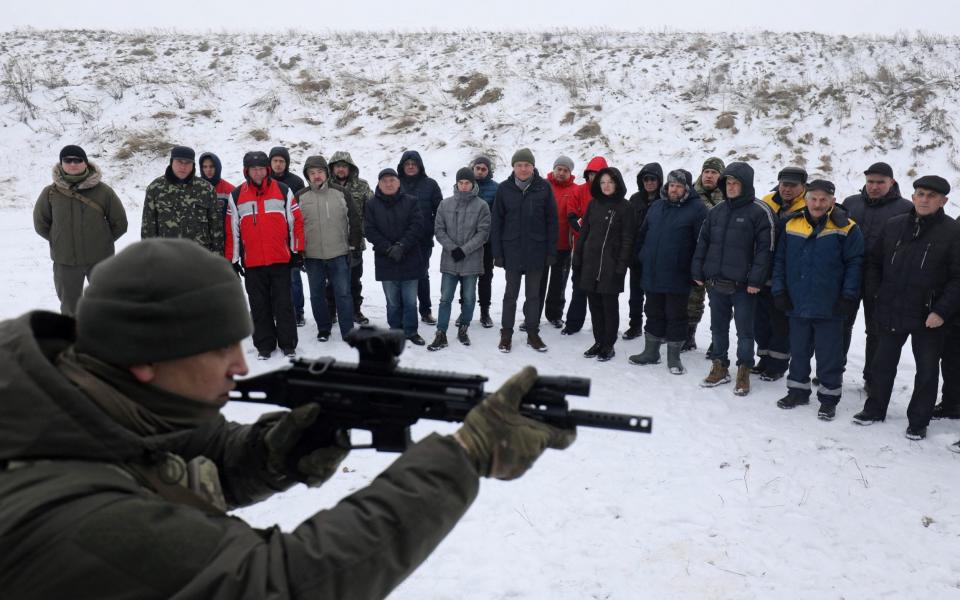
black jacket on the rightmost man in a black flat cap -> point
(913, 270)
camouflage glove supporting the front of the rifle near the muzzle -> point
(500, 441)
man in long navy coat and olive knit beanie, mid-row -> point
(523, 239)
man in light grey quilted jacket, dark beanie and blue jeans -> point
(462, 228)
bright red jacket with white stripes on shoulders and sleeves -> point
(265, 222)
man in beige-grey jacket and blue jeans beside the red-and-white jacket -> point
(331, 231)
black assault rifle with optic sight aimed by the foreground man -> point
(377, 396)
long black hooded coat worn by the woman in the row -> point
(604, 249)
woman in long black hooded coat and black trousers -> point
(601, 257)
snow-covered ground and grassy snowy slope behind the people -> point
(729, 497)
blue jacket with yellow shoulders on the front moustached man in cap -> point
(817, 263)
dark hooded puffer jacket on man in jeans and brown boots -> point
(736, 240)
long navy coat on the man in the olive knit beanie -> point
(524, 227)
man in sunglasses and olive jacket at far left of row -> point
(81, 217)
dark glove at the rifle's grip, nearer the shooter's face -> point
(284, 448)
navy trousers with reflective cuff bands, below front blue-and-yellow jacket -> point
(823, 337)
